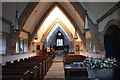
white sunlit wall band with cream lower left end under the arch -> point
(55, 14)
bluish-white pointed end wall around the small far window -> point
(51, 39)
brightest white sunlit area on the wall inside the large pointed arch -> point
(56, 13)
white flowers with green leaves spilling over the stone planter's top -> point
(94, 63)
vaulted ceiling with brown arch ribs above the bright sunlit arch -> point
(37, 14)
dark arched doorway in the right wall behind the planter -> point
(111, 39)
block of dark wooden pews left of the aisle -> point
(34, 68)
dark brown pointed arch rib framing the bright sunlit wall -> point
(70, 18)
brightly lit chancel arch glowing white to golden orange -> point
(50, 22)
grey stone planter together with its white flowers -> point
(100, 68)
